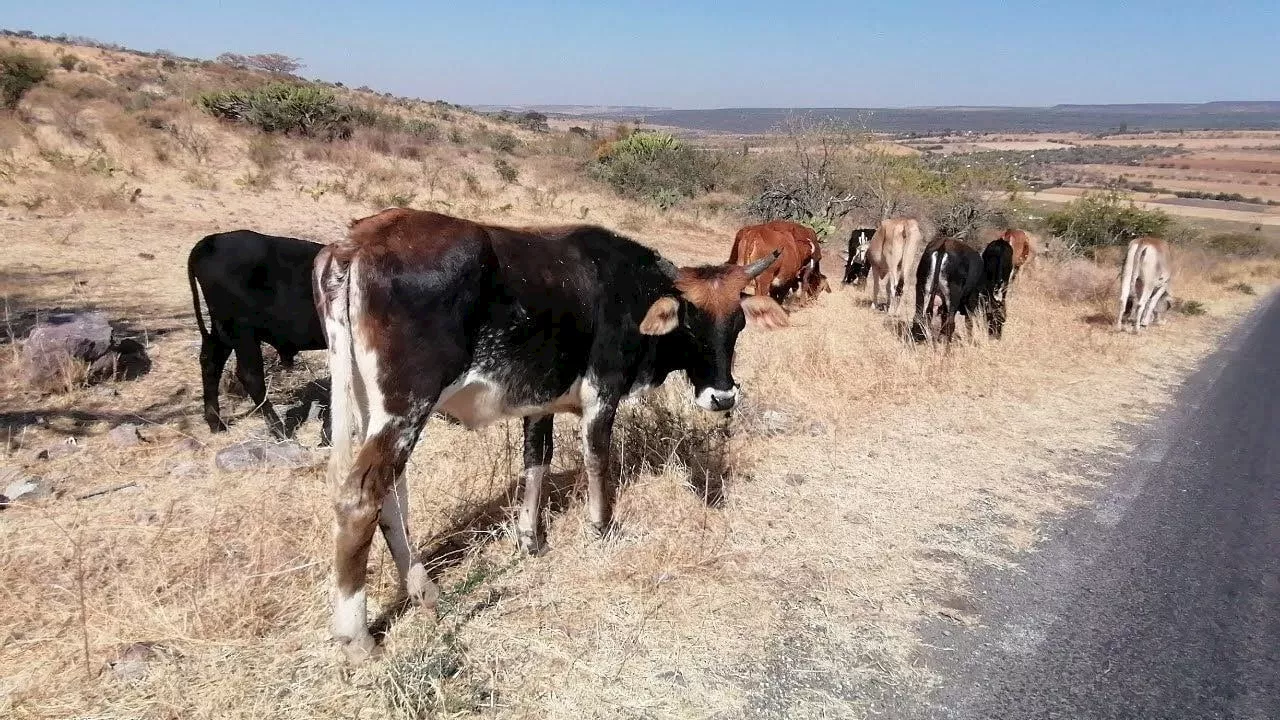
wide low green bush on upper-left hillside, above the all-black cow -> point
(312, 112)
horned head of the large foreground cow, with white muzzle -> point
(702, 325)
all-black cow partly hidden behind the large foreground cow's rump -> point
(257, 289)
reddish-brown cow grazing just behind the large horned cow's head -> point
(799, 265)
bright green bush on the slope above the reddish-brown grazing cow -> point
(655, 167)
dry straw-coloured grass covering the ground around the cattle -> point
(783, 571)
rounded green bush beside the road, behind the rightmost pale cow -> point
(1107, 218)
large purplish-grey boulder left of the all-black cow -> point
(65, 339)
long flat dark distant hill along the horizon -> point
(1058, 119)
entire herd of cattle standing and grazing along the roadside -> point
(426, 313)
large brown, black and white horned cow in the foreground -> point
(427, 312)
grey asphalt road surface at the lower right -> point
(1163, 599)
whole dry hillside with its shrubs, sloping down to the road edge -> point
(778, 563)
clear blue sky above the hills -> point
(702, 54)
